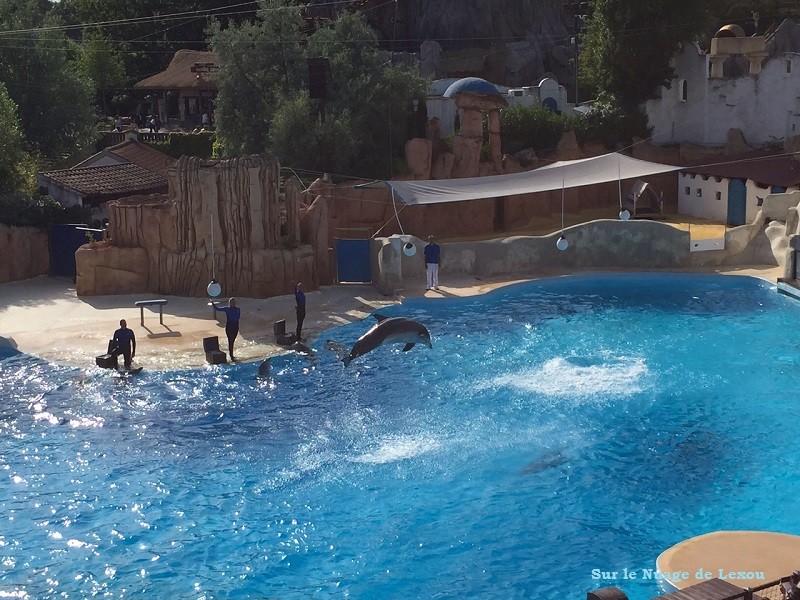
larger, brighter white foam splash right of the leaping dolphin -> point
(581, 377)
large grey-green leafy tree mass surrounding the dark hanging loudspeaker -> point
(264, 101)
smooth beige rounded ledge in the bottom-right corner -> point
(743, 558)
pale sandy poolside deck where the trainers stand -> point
(44, 317)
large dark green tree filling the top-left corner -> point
(38, 66)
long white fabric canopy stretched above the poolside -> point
(569, 174)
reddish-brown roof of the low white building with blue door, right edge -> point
(780, 170)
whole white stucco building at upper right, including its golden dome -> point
(746, 83)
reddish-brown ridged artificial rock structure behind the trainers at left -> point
(220, 219)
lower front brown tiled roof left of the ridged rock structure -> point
(109, 182)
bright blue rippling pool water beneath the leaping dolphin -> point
(556, 427)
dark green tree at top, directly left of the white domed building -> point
(628, 45)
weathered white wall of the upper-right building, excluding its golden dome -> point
(766, 107)
